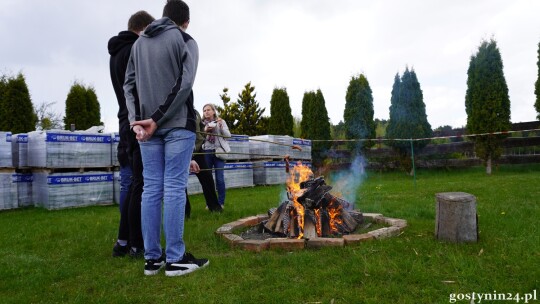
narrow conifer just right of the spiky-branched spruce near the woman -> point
(281, 120)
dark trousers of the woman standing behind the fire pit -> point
(207, 182)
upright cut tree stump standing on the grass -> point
(456, 220)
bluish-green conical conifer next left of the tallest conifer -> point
(408, 119)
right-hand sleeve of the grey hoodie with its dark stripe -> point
(190, 59)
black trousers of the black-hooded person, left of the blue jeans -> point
(130, 218)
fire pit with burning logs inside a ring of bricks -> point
(310, 217)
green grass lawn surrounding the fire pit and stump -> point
(65, 255)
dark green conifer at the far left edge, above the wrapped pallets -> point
(17, 111)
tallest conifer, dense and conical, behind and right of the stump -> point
(487, 102)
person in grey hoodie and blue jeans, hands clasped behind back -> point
(162, 68)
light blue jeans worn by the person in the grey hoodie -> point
(166, 157)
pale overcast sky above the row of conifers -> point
(301, 45)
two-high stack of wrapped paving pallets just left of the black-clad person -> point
(70, 169)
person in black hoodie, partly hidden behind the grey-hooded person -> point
(130, 238)
